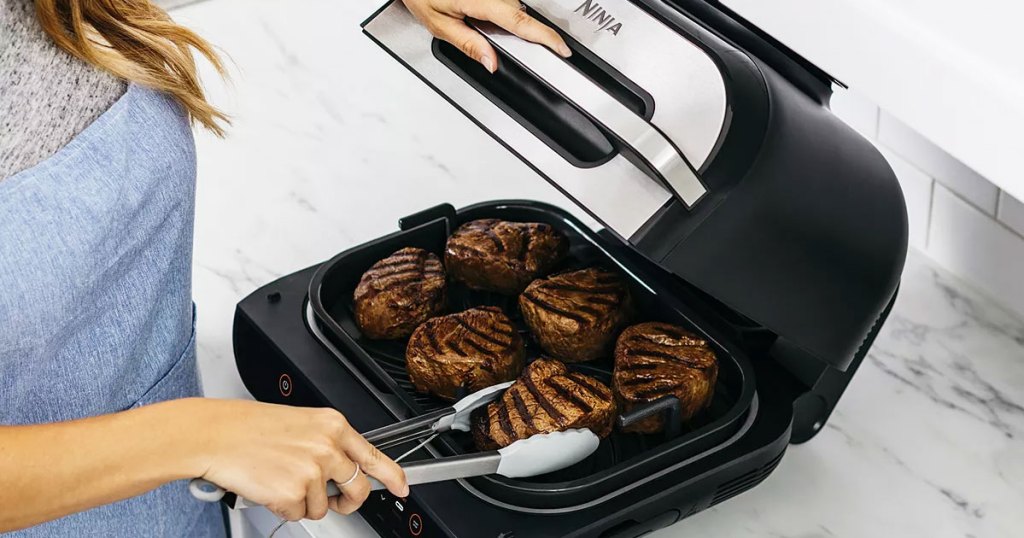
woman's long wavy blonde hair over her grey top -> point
(137, 42)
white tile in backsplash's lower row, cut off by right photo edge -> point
(977, 247)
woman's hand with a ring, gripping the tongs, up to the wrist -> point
(282, 457)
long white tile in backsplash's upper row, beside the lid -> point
(937, 163)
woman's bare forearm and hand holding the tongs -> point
(279, 457)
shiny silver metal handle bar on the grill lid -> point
(661, 156)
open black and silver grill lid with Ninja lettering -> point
(694, 152)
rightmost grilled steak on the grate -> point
(655, 360)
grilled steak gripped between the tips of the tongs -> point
(546, 398)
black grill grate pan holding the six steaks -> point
(620, 457)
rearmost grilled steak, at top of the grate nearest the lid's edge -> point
(498, 256)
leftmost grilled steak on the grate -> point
(399, 294)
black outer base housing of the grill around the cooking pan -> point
(272, 340)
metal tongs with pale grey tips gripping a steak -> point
(528, 458)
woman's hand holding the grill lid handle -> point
(445, 19)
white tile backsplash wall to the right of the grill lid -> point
(956, 216)
